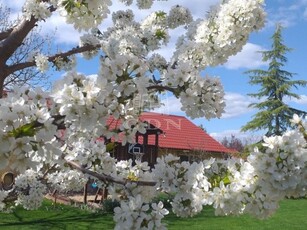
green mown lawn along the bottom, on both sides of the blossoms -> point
(291, 216)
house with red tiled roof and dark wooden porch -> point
(176, 135)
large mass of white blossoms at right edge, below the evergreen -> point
(257, 185)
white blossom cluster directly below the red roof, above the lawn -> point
(187, 181)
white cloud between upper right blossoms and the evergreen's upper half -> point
(249, 57)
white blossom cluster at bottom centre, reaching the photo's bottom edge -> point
(135, 210)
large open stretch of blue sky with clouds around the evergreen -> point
(293, 16)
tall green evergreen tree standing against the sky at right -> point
(276, 86)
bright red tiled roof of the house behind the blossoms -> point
(181, 133)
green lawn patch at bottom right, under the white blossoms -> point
(292, 215)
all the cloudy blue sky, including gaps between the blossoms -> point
(293, 16)
